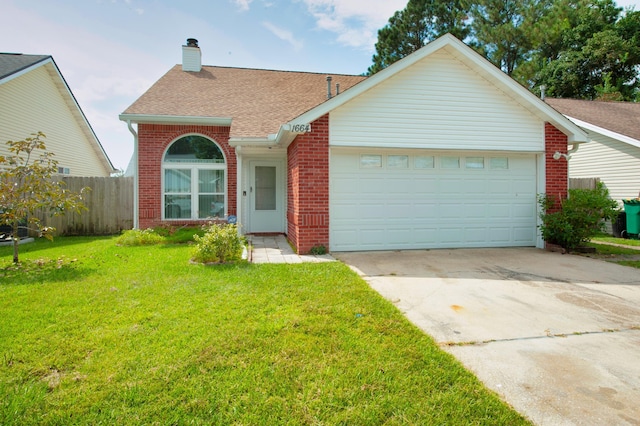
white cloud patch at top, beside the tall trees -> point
(356, 22)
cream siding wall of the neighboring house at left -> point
(32, 102)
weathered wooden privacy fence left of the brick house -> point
(110, 204)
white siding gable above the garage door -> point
(437, 103)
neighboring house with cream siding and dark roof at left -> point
(34, 96)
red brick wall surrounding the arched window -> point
(153, 140)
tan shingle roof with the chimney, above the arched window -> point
(257, 101)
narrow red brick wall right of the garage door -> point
(556, 170)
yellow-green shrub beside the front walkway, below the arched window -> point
(219, 244)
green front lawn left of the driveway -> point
(102, 334)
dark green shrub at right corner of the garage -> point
(580, 217)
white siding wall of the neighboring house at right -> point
(616, 163)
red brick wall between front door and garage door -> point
(308, 188)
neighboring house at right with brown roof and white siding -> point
(613, 155)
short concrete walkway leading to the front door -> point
(276, 249)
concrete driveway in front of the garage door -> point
(557, 336)
